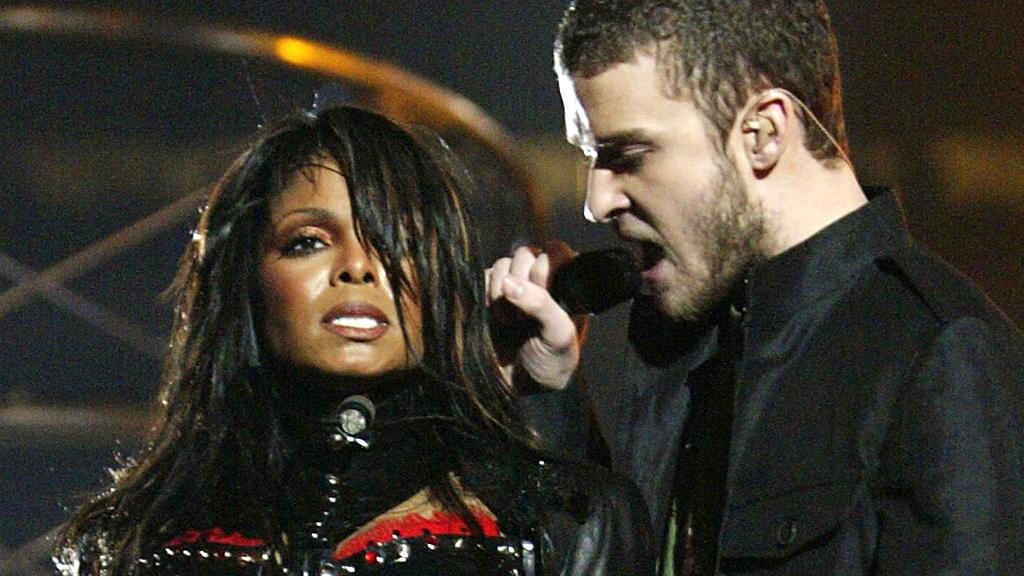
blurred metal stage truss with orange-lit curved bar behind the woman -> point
(400, 94)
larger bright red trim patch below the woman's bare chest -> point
(412, 526)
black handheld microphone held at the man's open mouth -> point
(594, 282)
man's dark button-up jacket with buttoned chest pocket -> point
(879, 413)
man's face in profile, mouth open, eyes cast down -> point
(658, 176)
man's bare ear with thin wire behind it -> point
(766, 129)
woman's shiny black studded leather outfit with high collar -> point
(556, 517)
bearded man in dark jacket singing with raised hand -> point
(801, 389)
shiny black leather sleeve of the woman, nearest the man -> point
(616, 538)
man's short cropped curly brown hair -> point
(718, 52)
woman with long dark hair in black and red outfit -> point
(331, 401)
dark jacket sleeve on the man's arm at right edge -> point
(951, 497)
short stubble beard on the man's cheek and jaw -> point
(731, 240)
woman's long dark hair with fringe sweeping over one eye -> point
(218, 425)
